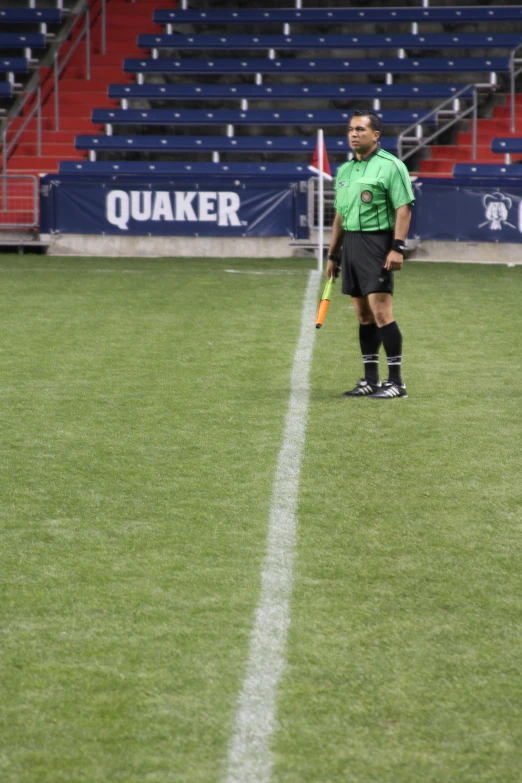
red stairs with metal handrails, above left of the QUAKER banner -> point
(77, 95)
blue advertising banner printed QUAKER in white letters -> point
(143, 207)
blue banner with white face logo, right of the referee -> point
(467, 211)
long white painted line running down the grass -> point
(250, 757)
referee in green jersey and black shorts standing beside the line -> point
(372, 204)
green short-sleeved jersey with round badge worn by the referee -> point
(369, 191)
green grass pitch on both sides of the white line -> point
(142, 410)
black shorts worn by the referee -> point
(363, 258)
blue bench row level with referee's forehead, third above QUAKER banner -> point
(252, 118)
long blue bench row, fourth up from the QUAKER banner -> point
(284, 91)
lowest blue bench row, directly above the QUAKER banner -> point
(291, 171)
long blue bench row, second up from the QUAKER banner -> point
(258, 144)
